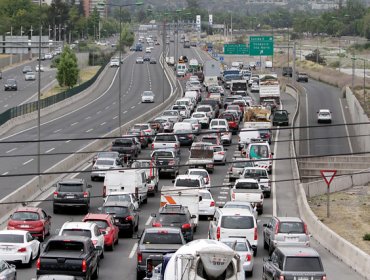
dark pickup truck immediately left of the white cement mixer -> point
(154, 243)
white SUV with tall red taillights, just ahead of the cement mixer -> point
(234, 223)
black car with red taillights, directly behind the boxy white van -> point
(126, 218)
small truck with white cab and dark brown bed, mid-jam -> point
(201, 155)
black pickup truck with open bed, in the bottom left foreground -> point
(75, 255)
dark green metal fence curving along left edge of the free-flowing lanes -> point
(46, 102)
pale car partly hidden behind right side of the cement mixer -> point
(245, 252)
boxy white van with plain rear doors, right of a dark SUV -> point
(130, 181)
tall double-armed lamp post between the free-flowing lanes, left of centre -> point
(120, 57)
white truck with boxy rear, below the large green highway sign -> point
(269, 87)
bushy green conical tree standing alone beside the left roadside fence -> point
(67, 73)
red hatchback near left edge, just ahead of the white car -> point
(32, 219)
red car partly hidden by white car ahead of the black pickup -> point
(106, 225)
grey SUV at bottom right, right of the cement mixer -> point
(293, 263)
